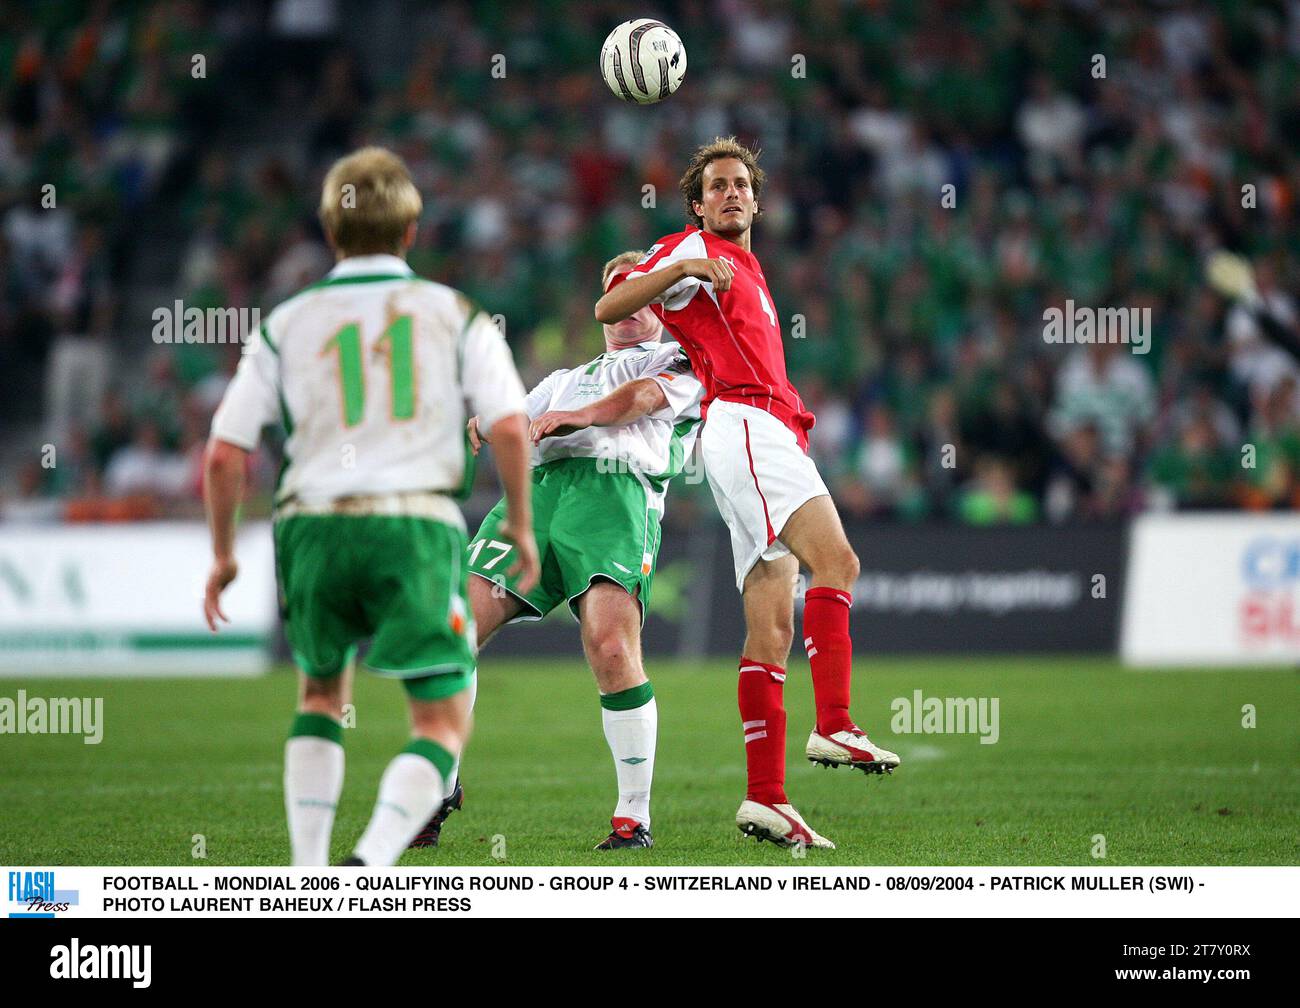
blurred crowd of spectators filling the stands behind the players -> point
(1095, 153)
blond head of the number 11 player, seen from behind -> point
(369, 201)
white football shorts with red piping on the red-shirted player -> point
(760, 477)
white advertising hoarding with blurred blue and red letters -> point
(1214, 590)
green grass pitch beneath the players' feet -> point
(1159, 763)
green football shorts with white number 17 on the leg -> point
(588, 525)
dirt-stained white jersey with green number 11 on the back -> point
(372, 373)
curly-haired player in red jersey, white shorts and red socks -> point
(710, 292)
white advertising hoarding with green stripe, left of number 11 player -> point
(127, 600)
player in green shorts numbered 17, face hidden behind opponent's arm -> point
(610, 436)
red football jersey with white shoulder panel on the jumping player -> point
(734, 340)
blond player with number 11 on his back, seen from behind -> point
(374, 374)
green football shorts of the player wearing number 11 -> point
(398, 581)
